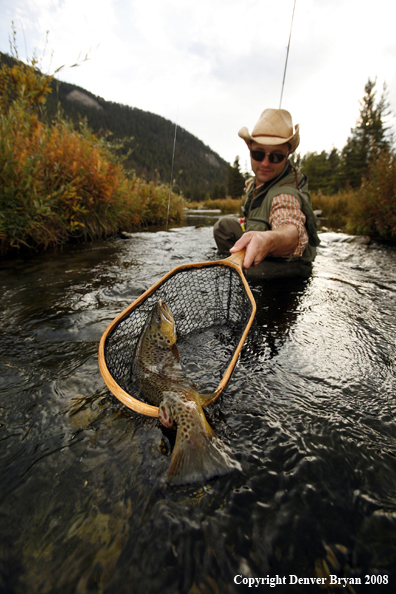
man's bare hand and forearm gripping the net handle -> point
(259, 244)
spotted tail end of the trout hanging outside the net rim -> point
(198, 454)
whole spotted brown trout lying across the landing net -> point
(198, 454)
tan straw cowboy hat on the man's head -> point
(275, 126)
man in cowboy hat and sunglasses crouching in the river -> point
(280, 223)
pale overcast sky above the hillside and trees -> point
(214, 65)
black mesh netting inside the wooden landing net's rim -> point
(211, 309)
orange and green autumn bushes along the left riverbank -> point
(59, 183)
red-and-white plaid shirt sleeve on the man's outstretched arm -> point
(285, 209)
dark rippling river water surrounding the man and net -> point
(309, 414)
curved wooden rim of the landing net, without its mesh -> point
(235, 261)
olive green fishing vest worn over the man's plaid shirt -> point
(257, 208)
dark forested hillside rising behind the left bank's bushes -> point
(149, 137)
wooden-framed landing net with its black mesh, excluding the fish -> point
(201, 296)
